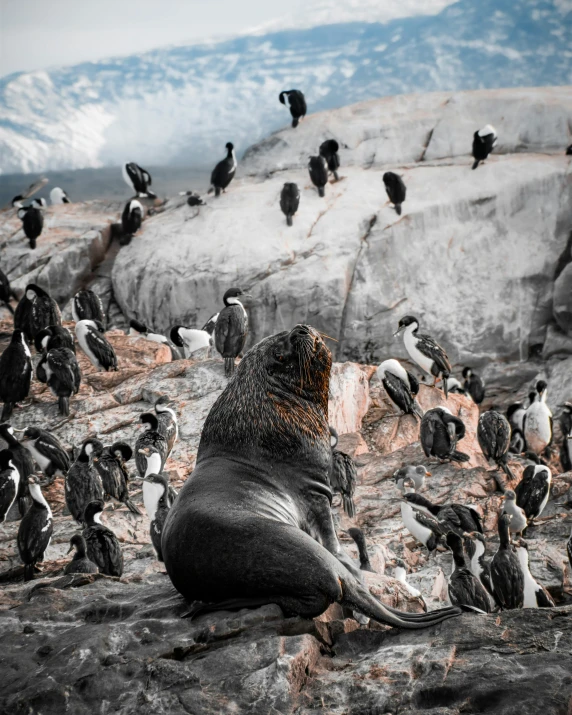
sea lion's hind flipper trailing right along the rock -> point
(356, 597)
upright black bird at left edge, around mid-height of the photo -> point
(15, 373)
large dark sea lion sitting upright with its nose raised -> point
(253, 524)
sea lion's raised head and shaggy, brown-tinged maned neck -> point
(277, 401)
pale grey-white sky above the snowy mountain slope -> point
(37, 34)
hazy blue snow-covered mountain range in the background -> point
(182, 104)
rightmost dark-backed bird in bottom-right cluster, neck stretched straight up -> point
(507, 581)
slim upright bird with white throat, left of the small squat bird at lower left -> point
(35, 530)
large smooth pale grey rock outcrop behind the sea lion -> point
(474, 254)
